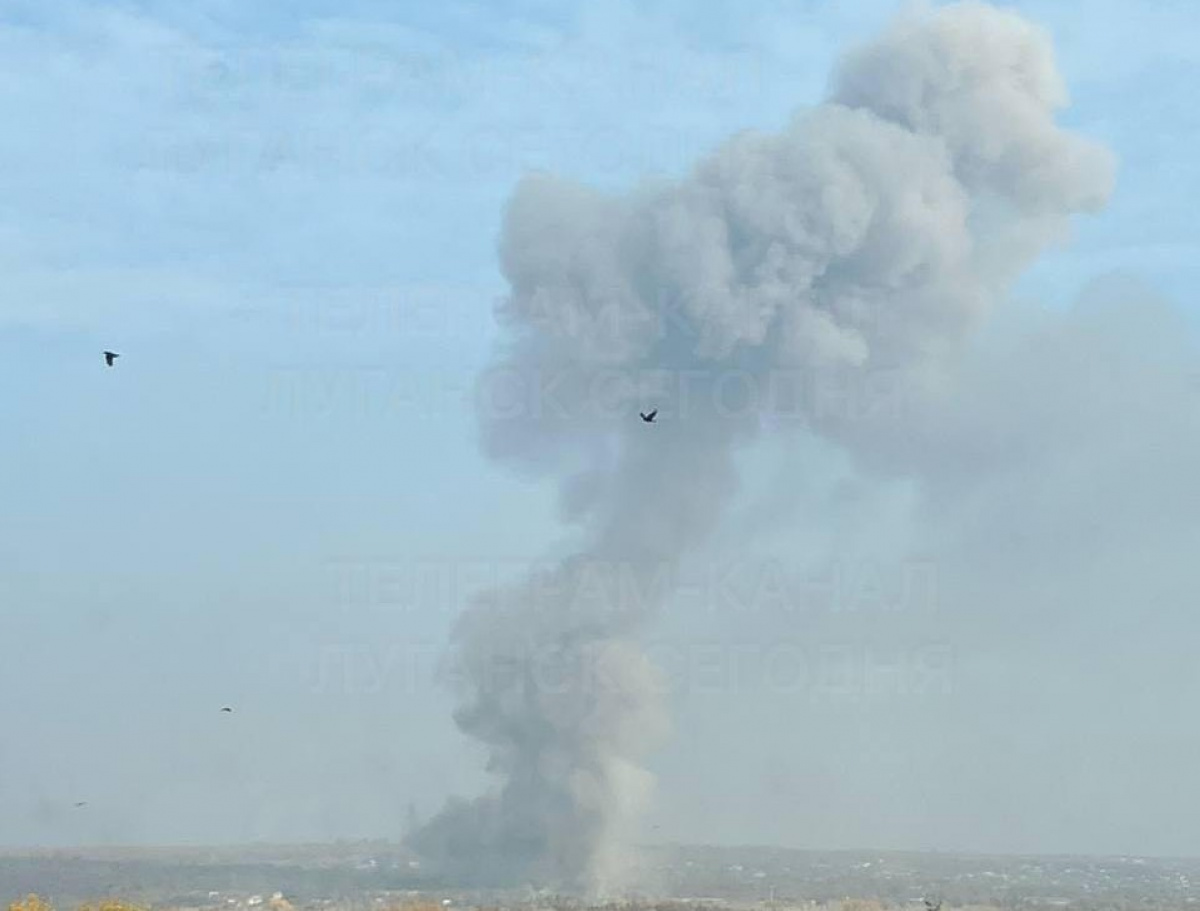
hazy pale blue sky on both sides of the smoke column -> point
(285, 218)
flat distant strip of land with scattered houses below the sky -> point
(377, 874)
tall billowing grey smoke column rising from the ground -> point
(868, 238)
